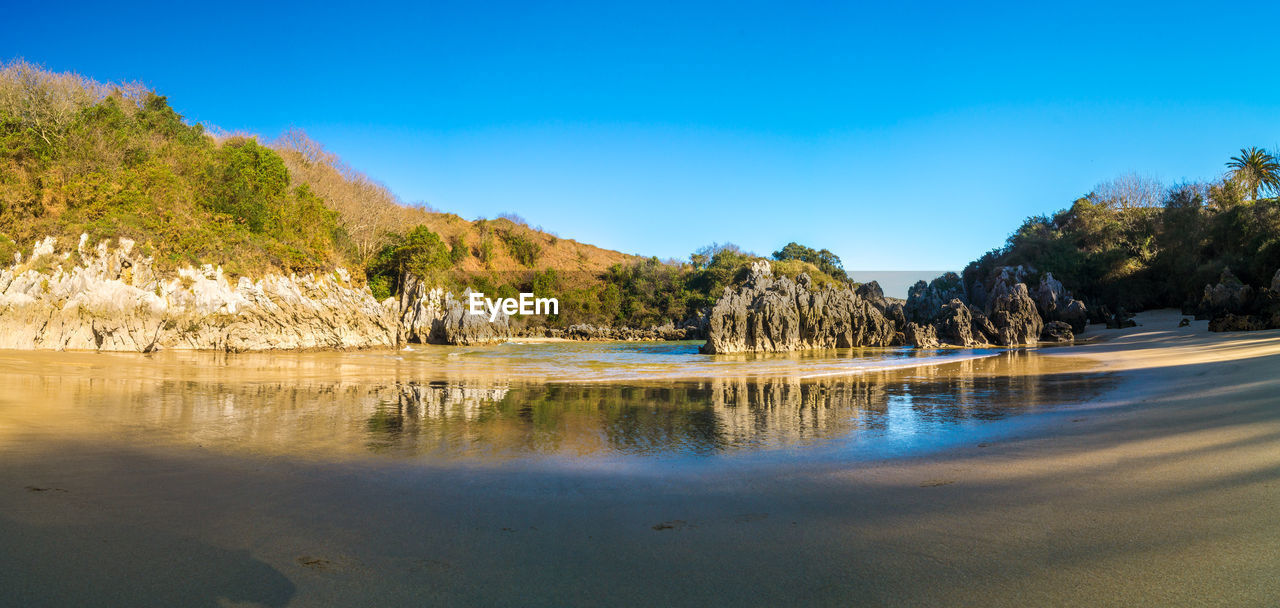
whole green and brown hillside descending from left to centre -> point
(115, 161)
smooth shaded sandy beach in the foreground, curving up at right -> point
(1165, 491)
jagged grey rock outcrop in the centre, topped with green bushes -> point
(776, 314)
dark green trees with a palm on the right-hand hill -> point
(1139, 245)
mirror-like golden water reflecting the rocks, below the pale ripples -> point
(342, 410)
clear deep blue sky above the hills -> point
(900, 136)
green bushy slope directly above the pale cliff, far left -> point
(77, 157)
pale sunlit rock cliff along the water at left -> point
(112, 300)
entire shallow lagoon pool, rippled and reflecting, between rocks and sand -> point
(527, 401)
